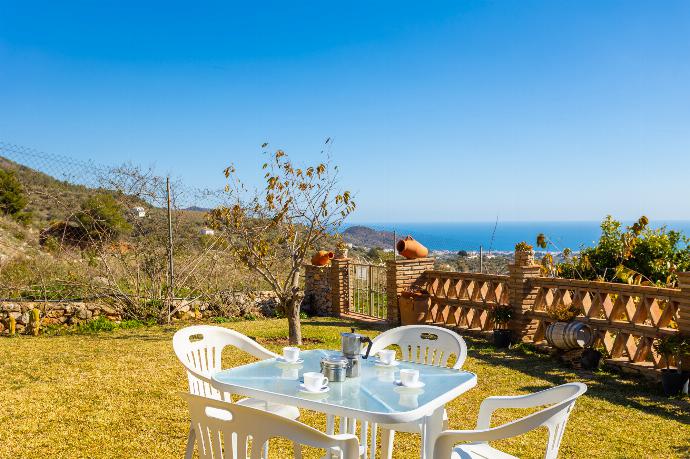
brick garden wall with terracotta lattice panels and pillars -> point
(626, 319)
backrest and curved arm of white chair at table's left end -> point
(200, 348)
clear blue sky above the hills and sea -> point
(440, 111)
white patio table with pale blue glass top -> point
(373, 398)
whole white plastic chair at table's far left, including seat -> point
(202, 358)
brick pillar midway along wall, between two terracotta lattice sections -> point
(522, 294)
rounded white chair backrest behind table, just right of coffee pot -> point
(425, 344)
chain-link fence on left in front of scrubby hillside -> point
(119, 232)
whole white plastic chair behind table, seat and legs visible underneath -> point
(425, 344)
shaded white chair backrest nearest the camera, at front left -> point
(223, 430)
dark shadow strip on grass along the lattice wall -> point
(628, 391)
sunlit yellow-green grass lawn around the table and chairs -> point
(115, 394)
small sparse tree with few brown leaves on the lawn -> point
(271, 230)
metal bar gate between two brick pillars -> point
(368, 290)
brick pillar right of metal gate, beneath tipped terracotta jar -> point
(400, 274)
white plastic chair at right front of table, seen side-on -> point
(554, 418)
